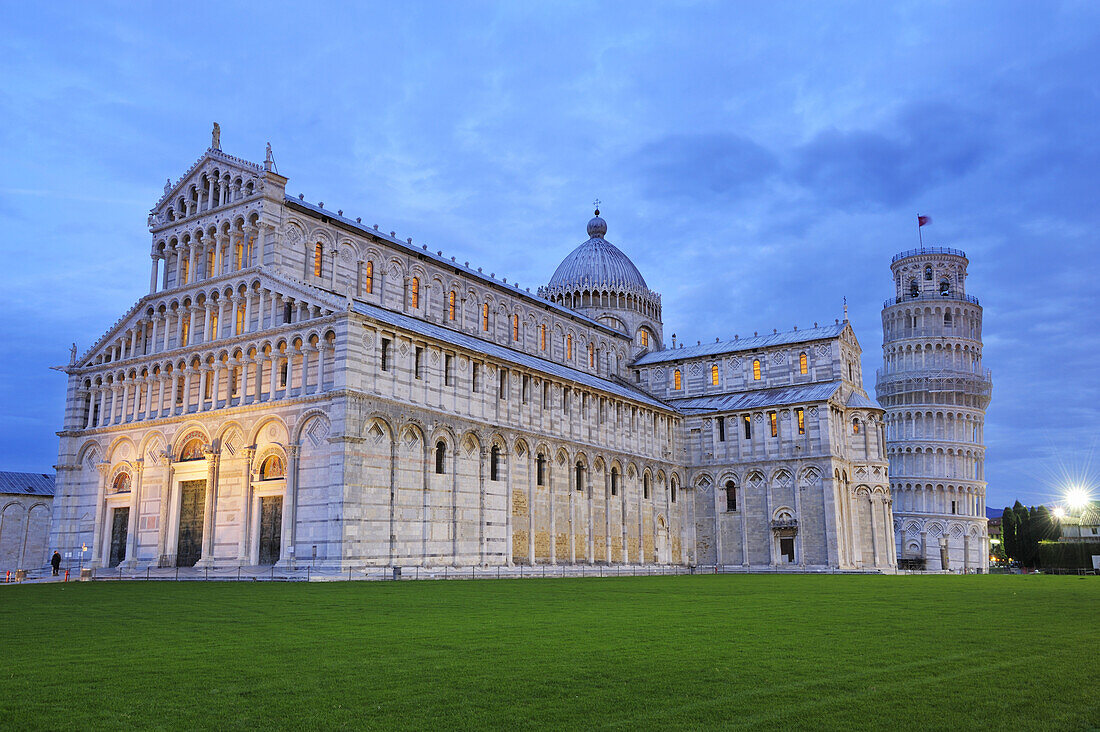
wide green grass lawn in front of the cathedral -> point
(795, 652)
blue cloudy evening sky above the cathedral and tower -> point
(758, 162)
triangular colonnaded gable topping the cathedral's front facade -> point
(193, 188)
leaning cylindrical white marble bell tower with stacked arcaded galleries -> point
(936, 391)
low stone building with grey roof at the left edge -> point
(27, 500)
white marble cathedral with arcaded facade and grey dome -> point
(298, 386)
